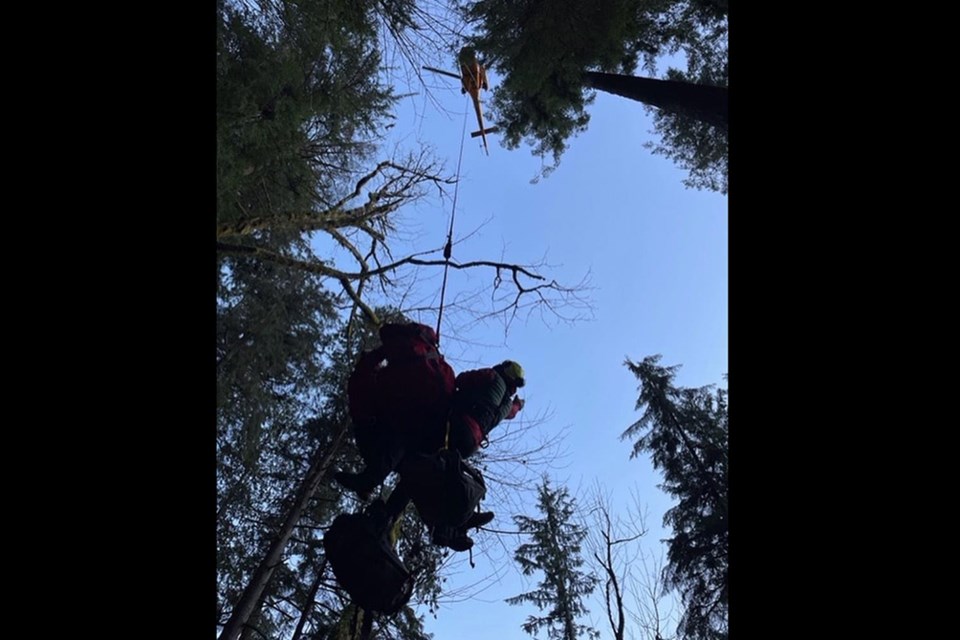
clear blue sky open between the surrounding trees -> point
(656, 255)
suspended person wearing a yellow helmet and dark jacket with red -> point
(482, 400)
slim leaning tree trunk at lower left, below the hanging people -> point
(252, 597)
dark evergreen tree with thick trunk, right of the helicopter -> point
(550, 54)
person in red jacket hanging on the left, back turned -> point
(397, 394)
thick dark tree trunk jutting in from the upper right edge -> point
(700, 101)
